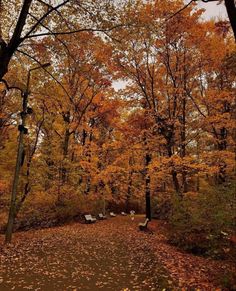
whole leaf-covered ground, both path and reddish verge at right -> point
(108, 255)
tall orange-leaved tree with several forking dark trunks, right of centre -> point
(163, 65)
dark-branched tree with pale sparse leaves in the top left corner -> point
(33, 16)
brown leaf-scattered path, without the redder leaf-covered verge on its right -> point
(108, 255)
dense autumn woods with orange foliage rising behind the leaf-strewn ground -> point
(163, 144)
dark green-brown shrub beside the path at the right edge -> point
(203, 222)
